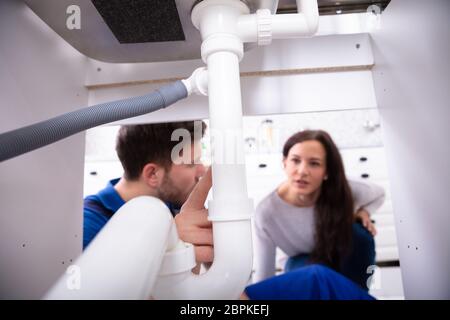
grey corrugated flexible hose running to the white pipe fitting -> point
(19, 141)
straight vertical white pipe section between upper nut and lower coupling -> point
(225, 113)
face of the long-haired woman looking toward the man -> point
(305, 167)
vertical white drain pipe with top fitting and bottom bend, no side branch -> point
(230, 210)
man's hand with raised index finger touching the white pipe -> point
(192, 221)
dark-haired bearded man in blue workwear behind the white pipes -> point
(152, 168)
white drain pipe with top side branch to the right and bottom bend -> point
(224, 26)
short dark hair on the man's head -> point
(138, 145)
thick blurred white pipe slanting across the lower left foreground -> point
(123, 260)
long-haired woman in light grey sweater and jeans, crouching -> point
(311, 215)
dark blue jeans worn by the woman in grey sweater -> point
(354, 266)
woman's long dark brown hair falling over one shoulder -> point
(334, 207)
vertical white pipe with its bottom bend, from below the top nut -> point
(230, 208)
